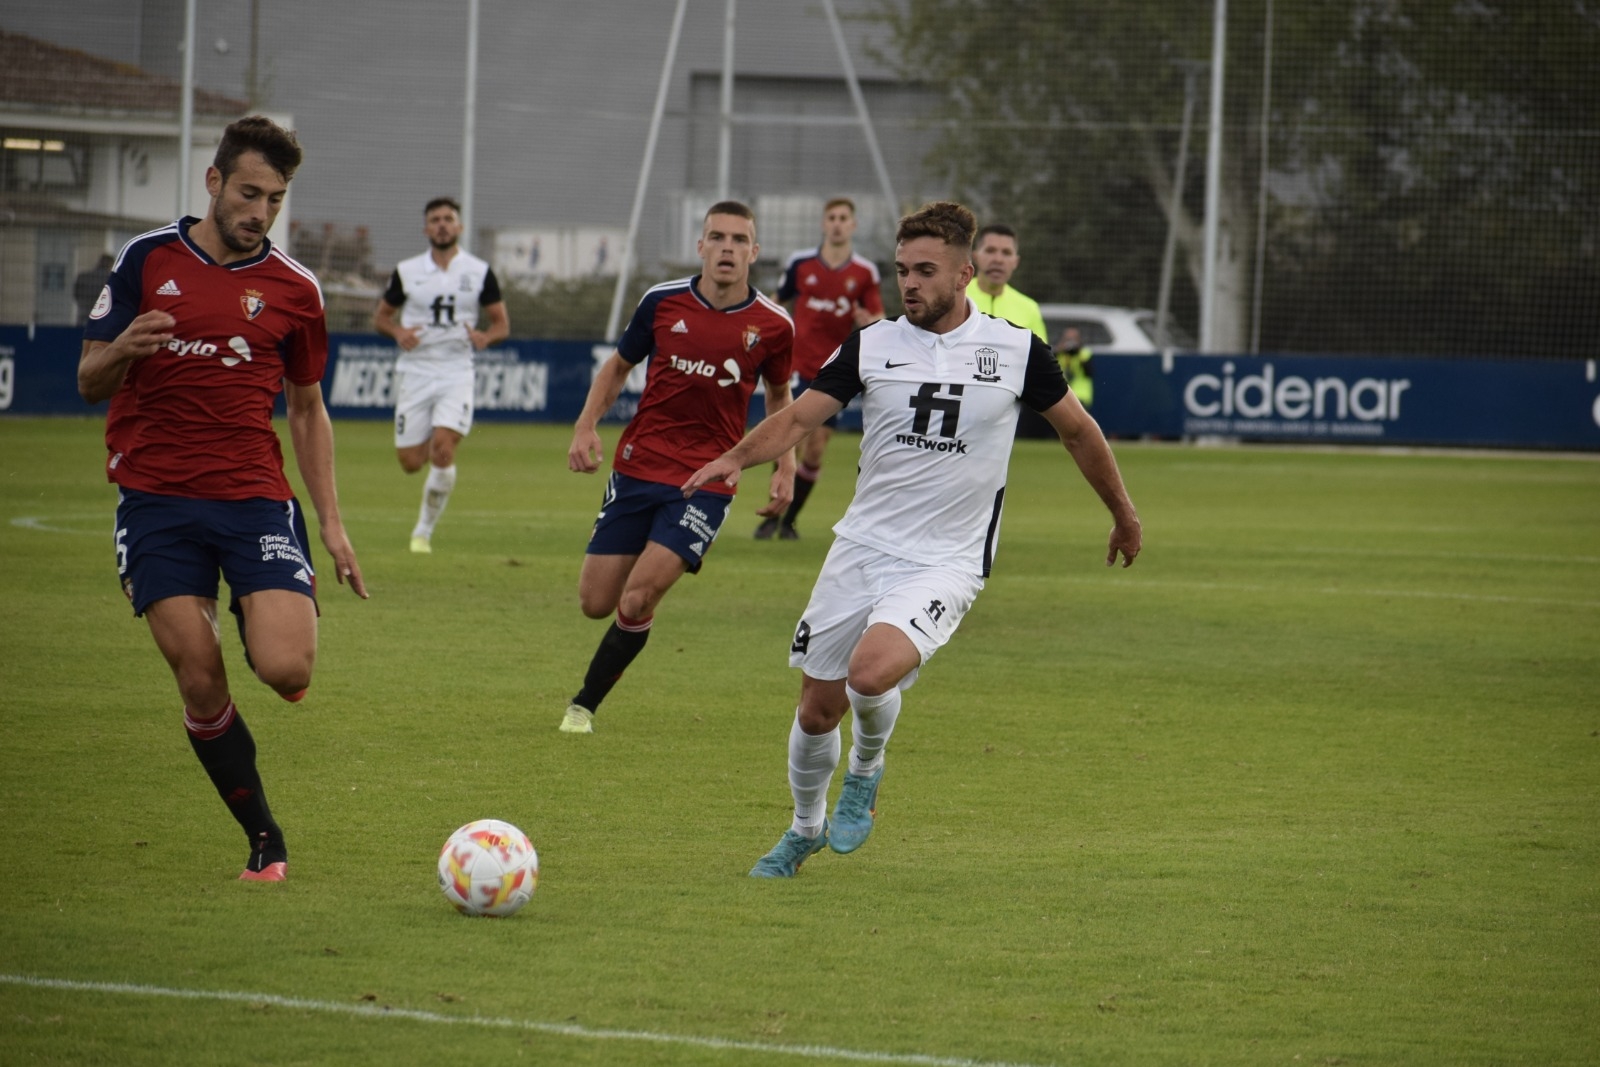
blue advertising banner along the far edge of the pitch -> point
(1492, 404)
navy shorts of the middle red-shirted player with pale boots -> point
(636, 513)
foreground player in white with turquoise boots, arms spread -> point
(942, 391)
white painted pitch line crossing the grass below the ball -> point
(561, 1029)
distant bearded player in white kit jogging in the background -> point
(438, 297)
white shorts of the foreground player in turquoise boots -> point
(863, 586)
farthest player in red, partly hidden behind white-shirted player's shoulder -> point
(830, 290)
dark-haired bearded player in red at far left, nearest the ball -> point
(198, 330)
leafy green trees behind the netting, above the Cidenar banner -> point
(1434, 164)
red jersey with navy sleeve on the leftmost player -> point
(196, 420)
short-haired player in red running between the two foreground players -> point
(708, 340)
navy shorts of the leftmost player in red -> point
(175, 546)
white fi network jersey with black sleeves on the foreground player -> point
(938, 425)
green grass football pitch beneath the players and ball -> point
(1318, 781)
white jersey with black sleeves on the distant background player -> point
(444, 303)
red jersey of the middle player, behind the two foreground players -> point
(705, 364)
